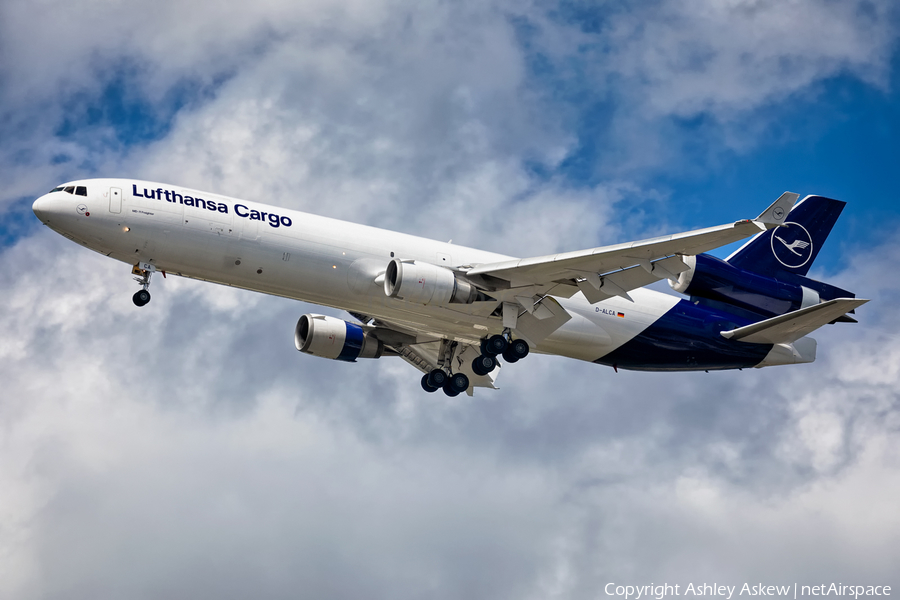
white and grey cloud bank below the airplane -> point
(195, 449)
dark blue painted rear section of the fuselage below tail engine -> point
(687, 338)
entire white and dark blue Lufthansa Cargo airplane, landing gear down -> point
(453, 312)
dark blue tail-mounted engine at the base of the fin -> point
(715, 279)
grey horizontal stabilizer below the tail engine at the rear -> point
(792, 326)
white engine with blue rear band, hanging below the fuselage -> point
(333, 338)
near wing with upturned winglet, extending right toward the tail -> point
(608, 271)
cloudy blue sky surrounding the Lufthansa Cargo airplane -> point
(186, 450)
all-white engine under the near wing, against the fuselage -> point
(424, 283)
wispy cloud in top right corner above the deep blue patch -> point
(724, 58)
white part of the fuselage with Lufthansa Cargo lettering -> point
(311, 258)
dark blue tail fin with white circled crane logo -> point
(793, 247)
